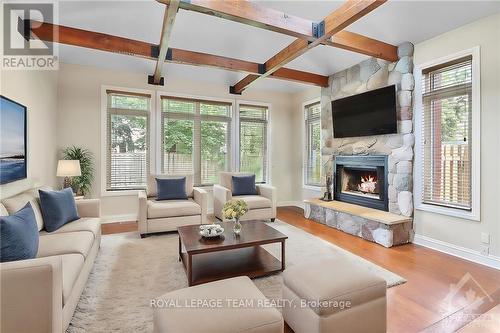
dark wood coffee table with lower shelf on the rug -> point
(211, 259)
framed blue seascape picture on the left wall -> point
(12, 141)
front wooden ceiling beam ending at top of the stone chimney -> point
(250, 13)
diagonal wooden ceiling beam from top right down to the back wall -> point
(348, 13)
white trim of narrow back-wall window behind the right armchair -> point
(237, 136)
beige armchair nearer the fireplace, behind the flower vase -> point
(261, 206)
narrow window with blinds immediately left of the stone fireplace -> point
(312, 162)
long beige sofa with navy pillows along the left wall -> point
(41, 294)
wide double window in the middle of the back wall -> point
(196, 138)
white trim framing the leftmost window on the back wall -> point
(104, 136)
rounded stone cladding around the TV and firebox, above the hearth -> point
(368, 75)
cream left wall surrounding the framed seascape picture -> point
(37, 90)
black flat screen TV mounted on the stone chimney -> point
(369, 113)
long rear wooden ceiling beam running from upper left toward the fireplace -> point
(109, 43)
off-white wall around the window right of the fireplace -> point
(462, 234)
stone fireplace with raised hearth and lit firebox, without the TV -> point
(373, 186)
